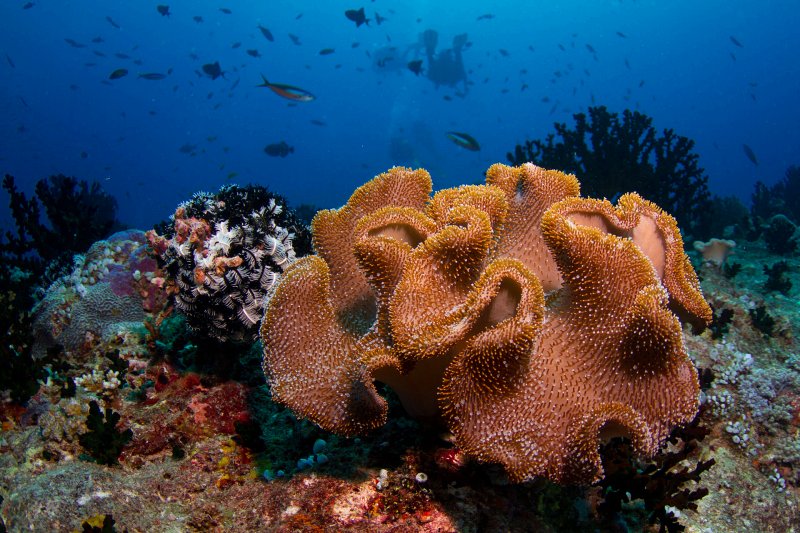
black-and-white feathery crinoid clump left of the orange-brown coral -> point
(223, 253)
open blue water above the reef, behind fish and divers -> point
(61, 115)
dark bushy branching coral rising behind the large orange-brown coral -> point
(612, 154)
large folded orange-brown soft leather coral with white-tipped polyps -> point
(534, 322)
